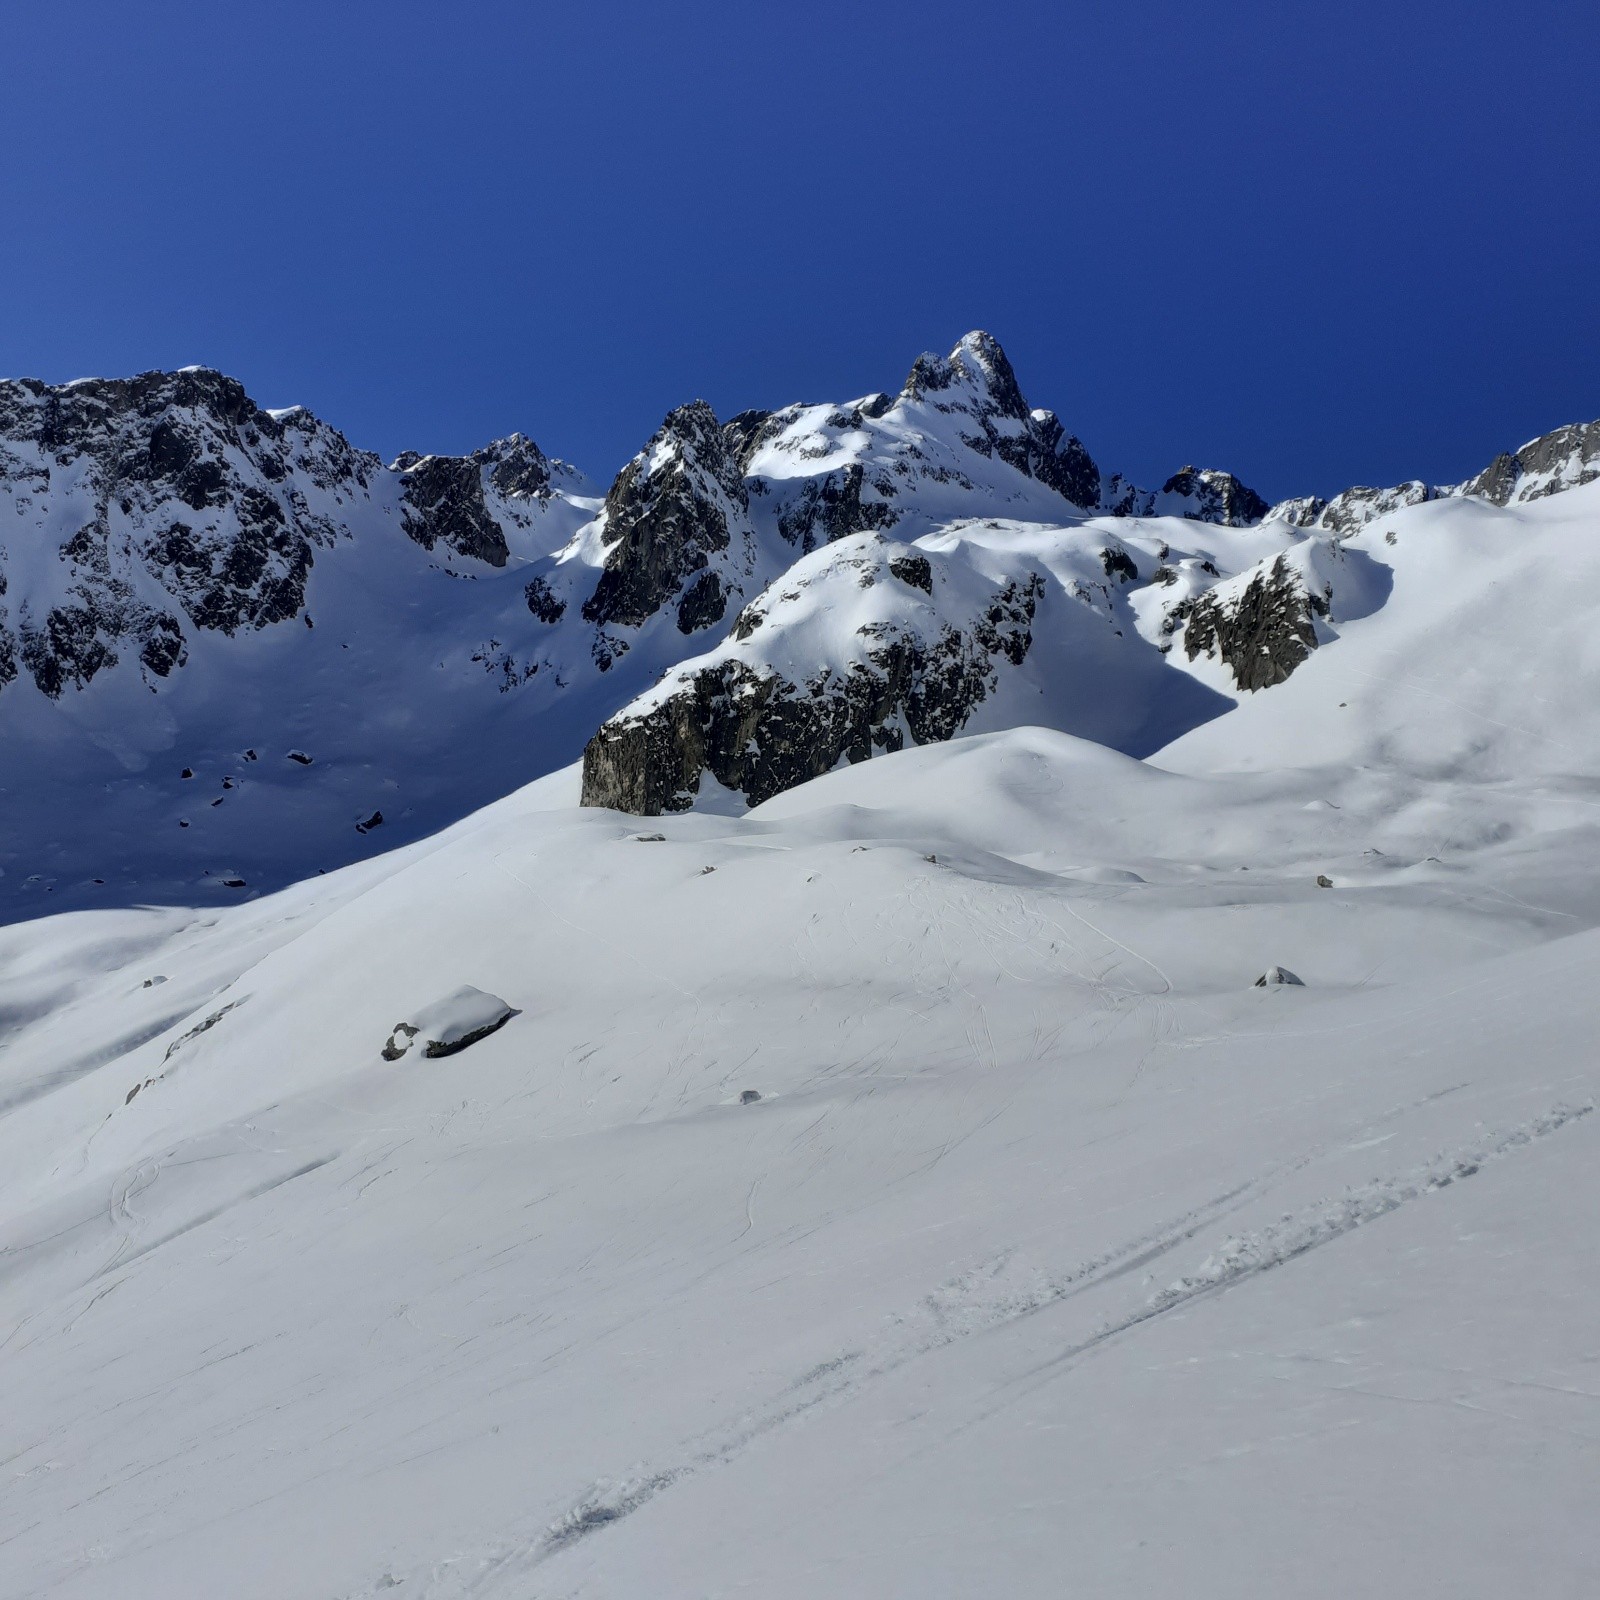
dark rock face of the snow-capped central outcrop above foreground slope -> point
(761, 734)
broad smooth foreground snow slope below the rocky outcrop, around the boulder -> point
(1050, 1246)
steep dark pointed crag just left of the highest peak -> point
(668, 514)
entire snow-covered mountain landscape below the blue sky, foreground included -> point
(1137, 1134)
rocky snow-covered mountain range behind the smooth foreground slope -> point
(238, 650)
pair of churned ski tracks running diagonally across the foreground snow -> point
(978, 1302)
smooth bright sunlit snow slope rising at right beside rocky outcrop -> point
(1473, 666)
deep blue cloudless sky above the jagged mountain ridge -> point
(1316, 244)
